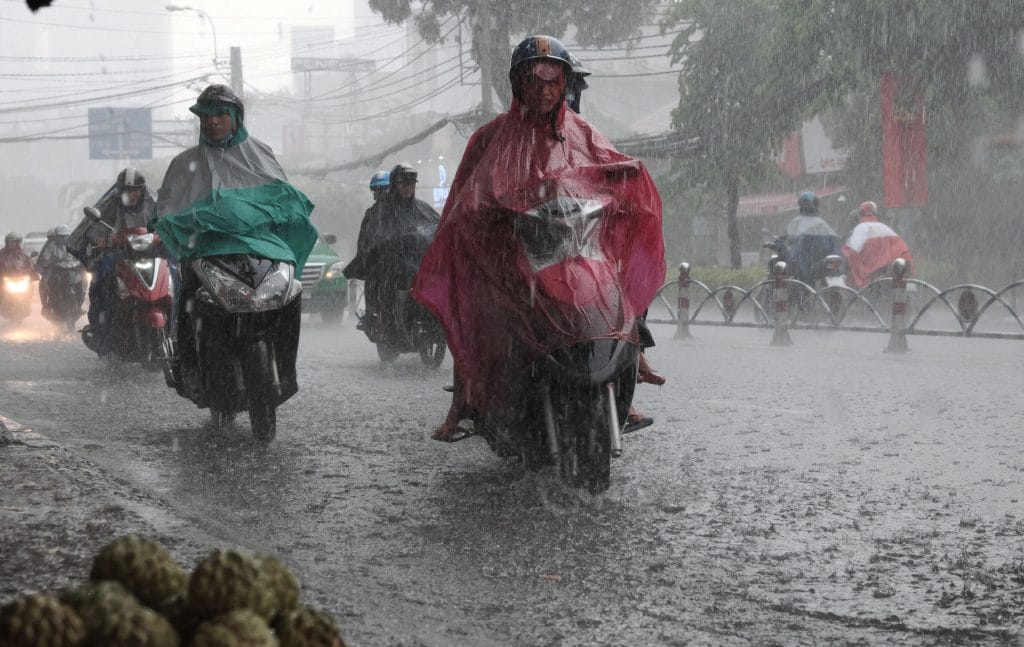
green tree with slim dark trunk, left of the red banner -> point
(733, 96)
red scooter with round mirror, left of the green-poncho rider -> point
(141, 297)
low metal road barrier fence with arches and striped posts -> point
(893, 305)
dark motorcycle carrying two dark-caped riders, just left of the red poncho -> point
(402, 325)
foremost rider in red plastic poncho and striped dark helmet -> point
(475, 278)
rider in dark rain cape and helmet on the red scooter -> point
(132, 205)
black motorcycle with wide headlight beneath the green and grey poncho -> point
(238, 339)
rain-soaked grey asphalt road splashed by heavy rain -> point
(825, 493)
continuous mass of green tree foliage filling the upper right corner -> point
(752, 70)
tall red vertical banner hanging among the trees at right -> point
(905, 163)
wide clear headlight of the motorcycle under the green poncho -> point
(277, 290)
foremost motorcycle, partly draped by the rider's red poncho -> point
(566, 409)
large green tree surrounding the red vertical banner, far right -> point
(965, 58)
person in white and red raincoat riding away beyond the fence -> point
(873, 247)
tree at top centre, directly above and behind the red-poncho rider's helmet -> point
(492, 24)
